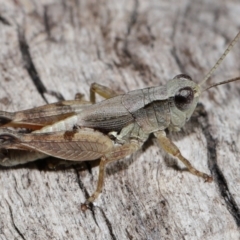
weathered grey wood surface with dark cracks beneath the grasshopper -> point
(124, 45)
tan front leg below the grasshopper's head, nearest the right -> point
(172, 149)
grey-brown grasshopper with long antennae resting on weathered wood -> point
(109, 130)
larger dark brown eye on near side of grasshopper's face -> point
(183, 98)
